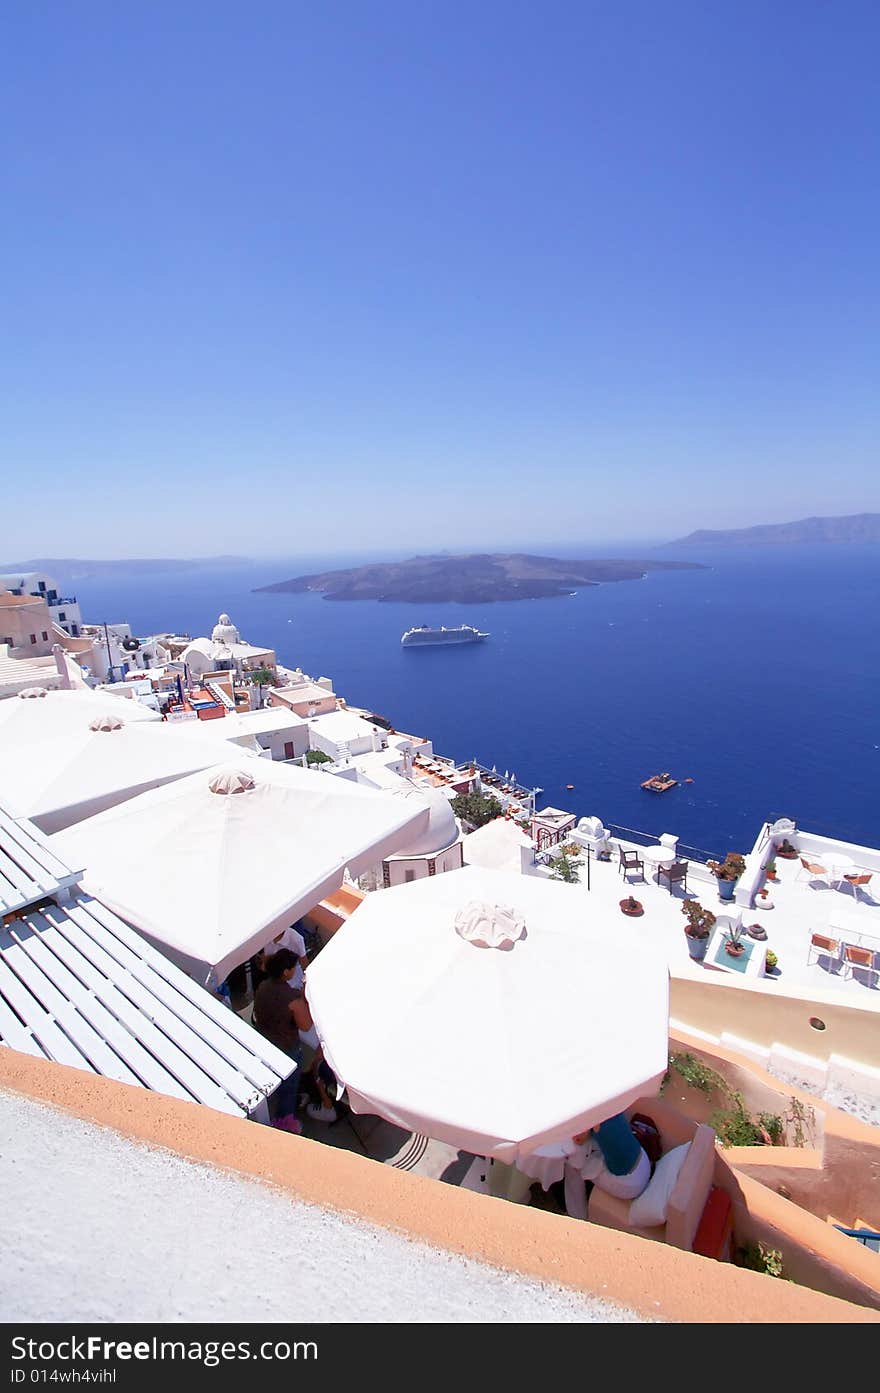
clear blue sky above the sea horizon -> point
(435, 274)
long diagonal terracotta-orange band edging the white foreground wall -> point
(659, 1282)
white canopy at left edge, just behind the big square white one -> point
(80, 768)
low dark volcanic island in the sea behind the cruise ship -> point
(469, 580)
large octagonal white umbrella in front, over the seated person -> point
(495, 1050)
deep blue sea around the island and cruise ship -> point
(758, 679)
